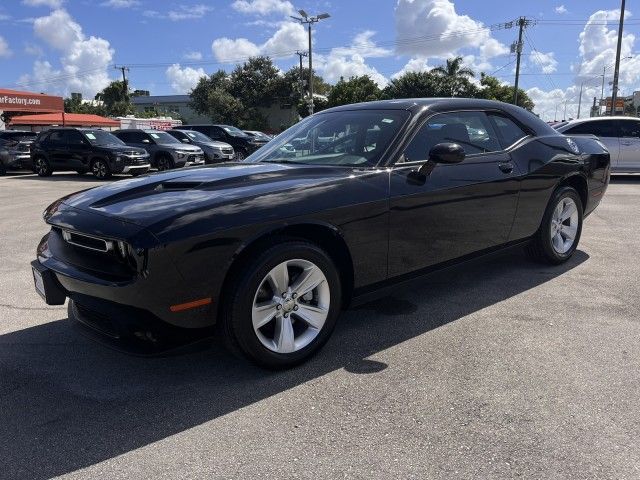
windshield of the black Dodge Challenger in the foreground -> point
(353, 138)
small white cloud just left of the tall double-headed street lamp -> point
(289, 37)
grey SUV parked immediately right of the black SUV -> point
(166, 151)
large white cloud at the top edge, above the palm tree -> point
(444, 30)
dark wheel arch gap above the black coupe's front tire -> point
(325, 236)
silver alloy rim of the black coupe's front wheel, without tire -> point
(291, 306)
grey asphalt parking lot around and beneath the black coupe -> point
(505, 369)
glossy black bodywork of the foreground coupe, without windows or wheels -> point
(186, 228)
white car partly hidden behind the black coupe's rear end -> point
(621, 136)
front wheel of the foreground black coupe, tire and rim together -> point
(281, 306)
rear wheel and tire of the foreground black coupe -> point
(559, 234)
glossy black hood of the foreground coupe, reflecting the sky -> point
(162, 200)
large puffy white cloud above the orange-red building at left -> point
(85, 61)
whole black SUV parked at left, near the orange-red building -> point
(83, 150)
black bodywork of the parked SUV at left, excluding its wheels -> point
(70, 149)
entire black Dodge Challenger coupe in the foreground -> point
(268, 251)
